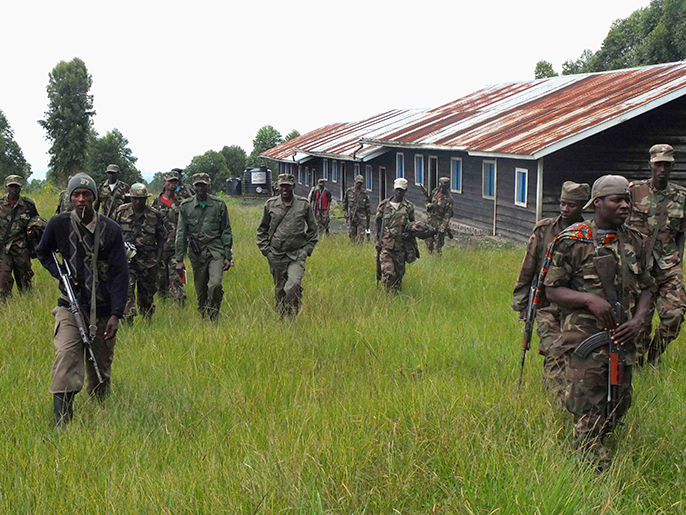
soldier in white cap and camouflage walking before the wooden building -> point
(392, 218)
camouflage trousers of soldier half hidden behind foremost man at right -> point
(548, 322)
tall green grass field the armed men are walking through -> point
(367, 403)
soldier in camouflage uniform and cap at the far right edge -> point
(659, 212)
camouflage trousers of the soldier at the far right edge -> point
(670, 302)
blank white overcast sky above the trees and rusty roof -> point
(180, 78)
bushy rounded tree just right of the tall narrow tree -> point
(112, 148)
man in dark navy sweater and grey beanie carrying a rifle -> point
(92, 247)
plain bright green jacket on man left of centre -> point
(214, 235)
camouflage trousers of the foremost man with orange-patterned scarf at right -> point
(586, 393)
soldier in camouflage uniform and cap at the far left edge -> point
(18, 217)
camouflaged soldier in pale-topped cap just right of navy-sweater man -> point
(141, 226)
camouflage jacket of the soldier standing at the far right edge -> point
(645, 219)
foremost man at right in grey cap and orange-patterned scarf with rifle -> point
(595, 272)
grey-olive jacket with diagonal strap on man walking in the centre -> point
(287, 229)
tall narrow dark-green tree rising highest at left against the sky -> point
(68, 119)
